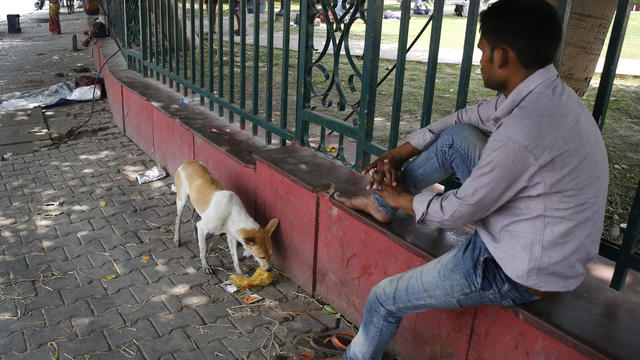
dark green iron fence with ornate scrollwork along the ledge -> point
(335, 85)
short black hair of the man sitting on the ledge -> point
(531, 28)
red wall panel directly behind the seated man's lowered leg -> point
(353, 257)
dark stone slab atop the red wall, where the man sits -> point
(593, 320)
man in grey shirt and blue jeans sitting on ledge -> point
(535, 175)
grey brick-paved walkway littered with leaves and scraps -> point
(73, 283)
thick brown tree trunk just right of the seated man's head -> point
(589, 22)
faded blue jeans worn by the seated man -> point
(466, 275)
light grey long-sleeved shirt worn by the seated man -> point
(538, 194)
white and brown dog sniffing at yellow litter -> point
(221, 211)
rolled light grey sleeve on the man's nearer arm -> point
(500, 174)
